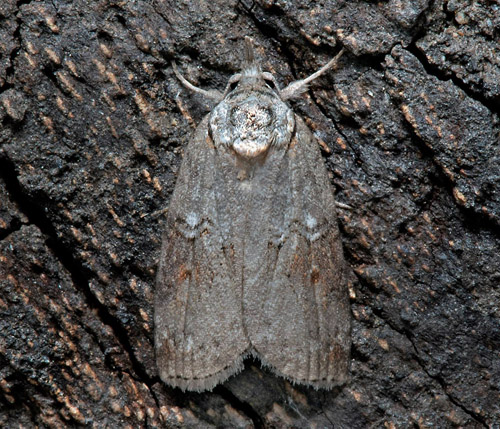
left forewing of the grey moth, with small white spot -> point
(199, 334)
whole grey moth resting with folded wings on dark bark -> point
(251, 260)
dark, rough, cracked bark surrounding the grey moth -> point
(93, 126)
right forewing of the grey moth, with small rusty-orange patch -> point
(296, 307)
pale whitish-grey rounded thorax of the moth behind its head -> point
(250, 121)
